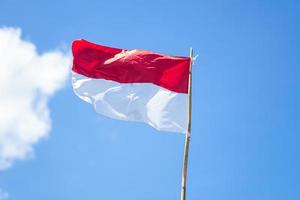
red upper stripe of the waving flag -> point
(130, 66)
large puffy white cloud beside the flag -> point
(27, 80)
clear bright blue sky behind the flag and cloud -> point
(246, 112)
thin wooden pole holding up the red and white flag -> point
(188, 134)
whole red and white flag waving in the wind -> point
(133, 85)
